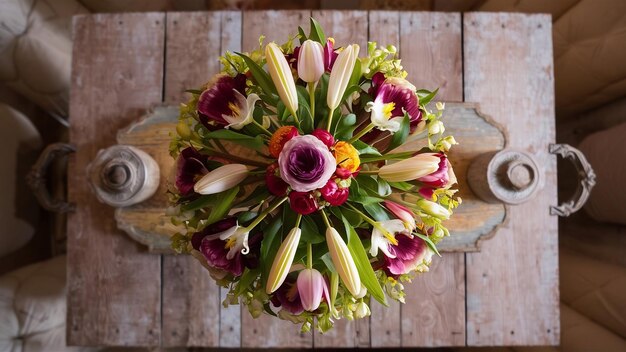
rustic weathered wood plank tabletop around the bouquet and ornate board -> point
(119, 294)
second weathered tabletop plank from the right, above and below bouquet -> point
(434, 315)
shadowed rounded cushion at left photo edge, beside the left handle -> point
(20, 143)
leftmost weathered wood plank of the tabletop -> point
(114, 286)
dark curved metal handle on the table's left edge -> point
(37, 178)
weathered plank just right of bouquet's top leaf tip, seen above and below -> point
(346, 27)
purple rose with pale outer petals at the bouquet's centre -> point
(306, 163)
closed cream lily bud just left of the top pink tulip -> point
(281, 75)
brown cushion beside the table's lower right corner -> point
(595, 289)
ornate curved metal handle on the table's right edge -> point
(586, 178)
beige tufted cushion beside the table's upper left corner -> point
(36, 48)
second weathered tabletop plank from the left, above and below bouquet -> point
(192, 310)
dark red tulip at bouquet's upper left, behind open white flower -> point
(218, 98)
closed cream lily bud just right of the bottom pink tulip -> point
(343, 261)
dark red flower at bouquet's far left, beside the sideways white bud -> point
(190, 166)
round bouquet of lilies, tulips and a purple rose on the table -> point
(308, 188)
